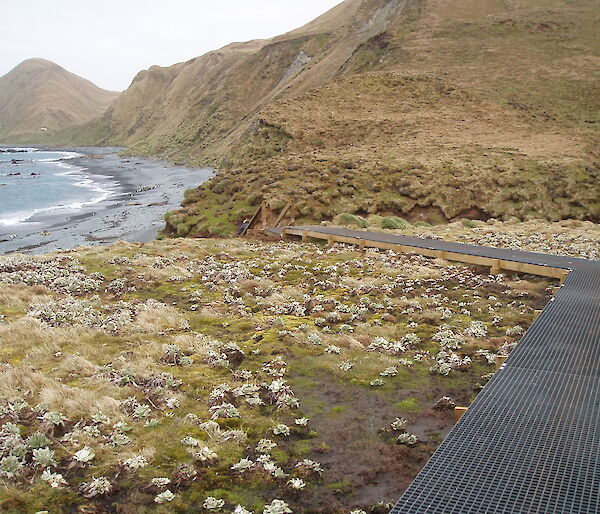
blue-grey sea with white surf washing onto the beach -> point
(44, 182)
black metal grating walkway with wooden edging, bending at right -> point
(530, 442)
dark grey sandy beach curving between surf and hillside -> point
(144, 190)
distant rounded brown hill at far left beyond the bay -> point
(38, 93)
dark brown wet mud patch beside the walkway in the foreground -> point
(363, 466)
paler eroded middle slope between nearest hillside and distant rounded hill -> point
(199, 108)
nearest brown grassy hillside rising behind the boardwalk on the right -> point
(478, 112)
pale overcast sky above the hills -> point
(109, 41)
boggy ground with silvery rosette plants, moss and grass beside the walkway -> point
(234, 376)
